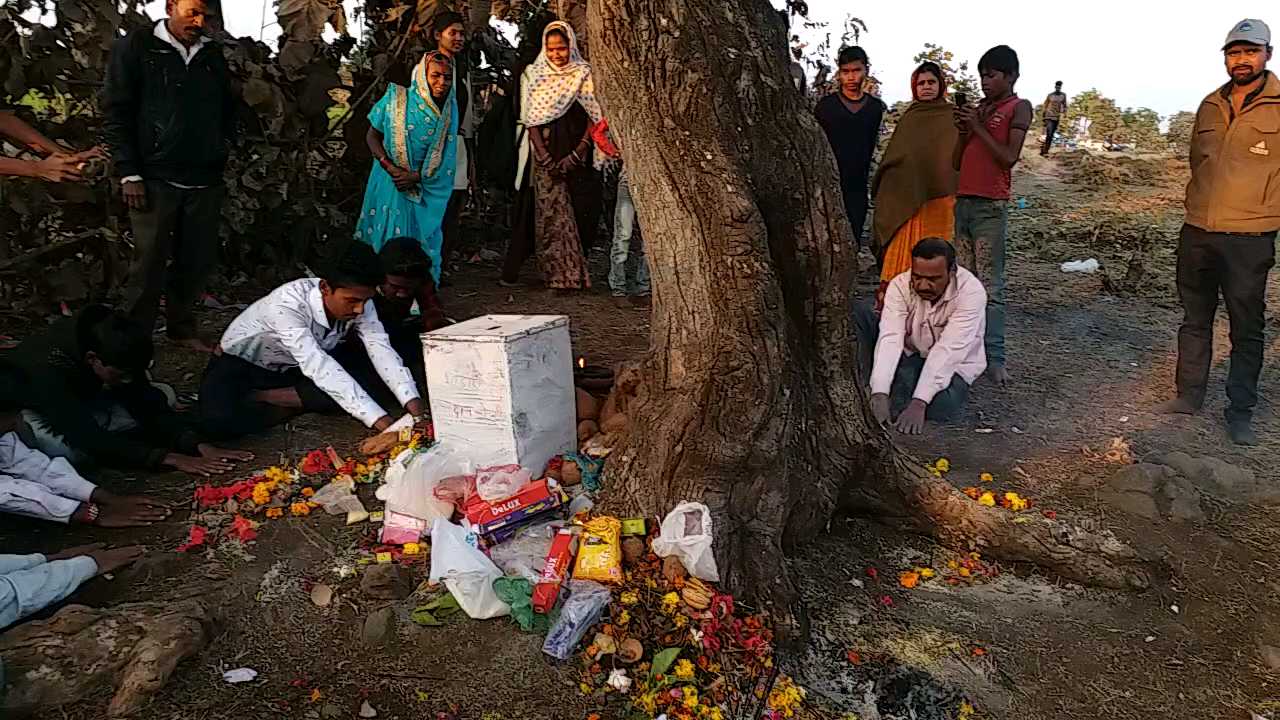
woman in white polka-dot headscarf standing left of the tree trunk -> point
(557, 112)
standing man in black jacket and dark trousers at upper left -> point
(171, 121)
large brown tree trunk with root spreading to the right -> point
(749, 399)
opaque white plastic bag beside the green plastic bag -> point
(467, 572)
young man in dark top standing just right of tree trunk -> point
(852, 120)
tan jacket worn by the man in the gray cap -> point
(1236, 163)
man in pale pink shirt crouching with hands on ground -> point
(929, 345)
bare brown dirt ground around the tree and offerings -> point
(1089, 367)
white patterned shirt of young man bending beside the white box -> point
(290, 329)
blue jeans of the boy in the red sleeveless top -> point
(981, 229)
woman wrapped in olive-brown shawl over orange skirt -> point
(916, 185)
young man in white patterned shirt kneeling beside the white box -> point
(296, 352)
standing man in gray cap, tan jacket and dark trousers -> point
(1228, 241)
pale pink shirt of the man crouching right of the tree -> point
(948, 334)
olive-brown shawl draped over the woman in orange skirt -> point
(916, 167)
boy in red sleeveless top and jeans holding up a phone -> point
(991, 143)
